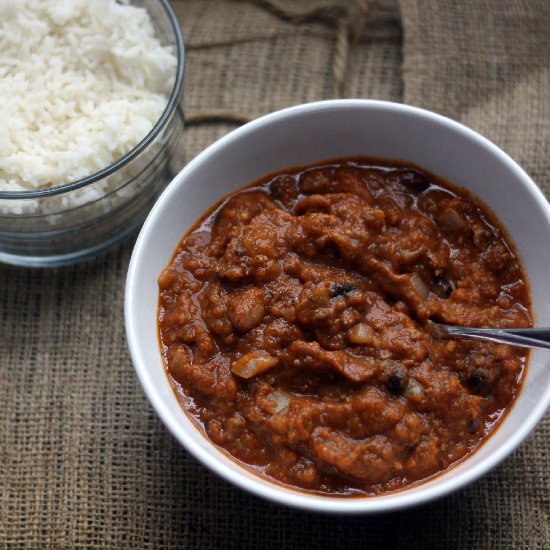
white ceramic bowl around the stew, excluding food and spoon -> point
(316, 132)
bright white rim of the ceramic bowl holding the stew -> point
(241, 477)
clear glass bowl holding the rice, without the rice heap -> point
(76, 220)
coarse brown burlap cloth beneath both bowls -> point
(83, 459)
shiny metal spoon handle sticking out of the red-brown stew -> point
(538, 338)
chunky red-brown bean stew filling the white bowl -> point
(293, 317)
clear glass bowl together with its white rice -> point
(92, 126)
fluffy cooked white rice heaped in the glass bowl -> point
(81, 83)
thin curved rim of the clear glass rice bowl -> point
(171, 106)
